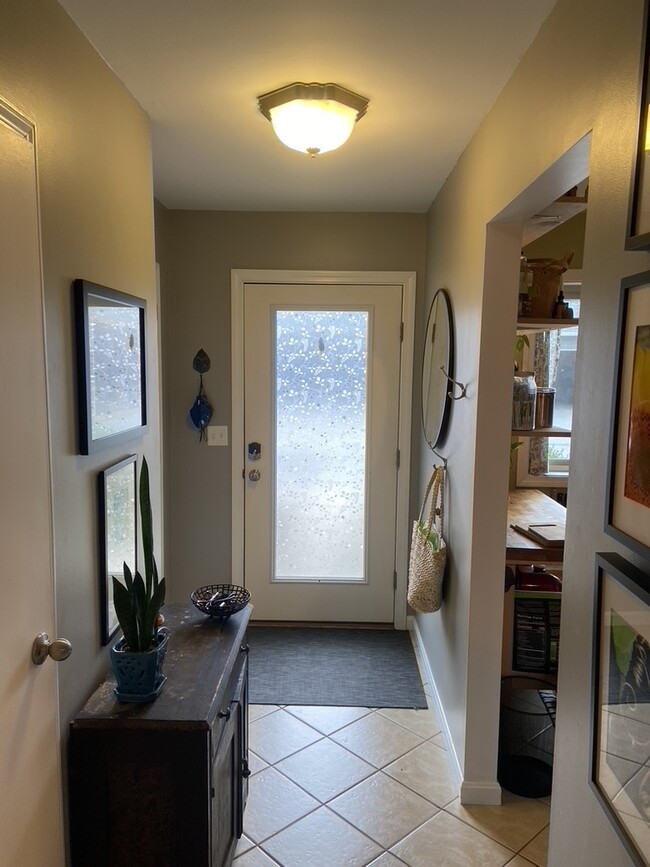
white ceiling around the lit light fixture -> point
(431, 69)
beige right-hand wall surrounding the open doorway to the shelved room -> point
(580, 75)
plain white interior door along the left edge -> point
(30, 820)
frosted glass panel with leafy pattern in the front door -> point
(321, 374)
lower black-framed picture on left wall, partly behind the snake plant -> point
(117, 534)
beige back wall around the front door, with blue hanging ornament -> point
(197, 252)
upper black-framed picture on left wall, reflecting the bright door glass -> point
(111, 380)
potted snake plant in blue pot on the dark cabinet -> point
(137, 658)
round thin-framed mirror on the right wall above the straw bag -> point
(438, 353)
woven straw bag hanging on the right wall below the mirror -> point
(428, 550)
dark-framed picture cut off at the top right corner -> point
(638, 233)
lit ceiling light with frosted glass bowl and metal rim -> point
(312, 118)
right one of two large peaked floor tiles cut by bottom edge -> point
(454, 844)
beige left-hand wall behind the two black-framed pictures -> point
(94, 167)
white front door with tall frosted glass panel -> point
(321, 400)
